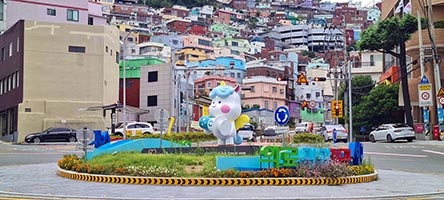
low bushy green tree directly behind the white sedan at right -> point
(378, 107)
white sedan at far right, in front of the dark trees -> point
(392, 132)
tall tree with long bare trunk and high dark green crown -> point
(384, 37)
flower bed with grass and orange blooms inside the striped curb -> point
(176, 165)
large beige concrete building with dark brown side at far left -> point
(50, 71)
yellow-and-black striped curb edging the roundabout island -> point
(215, 181)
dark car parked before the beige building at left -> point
(54, 134)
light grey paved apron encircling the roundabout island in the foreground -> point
(41, 180)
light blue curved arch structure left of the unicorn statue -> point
(131, 146)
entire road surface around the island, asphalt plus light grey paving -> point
(406, 170)
